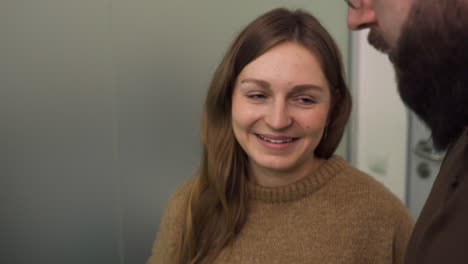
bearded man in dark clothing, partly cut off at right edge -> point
(427, 42)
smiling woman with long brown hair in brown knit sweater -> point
(269, 189)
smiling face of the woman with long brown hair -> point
(280, 106)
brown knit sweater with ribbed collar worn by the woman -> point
(337, 214)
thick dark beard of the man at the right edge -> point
(431, 63)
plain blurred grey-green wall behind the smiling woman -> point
(100, 103)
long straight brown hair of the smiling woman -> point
(218, 206)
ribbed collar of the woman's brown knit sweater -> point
(304, 187)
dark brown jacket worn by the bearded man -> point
(441, 232)
